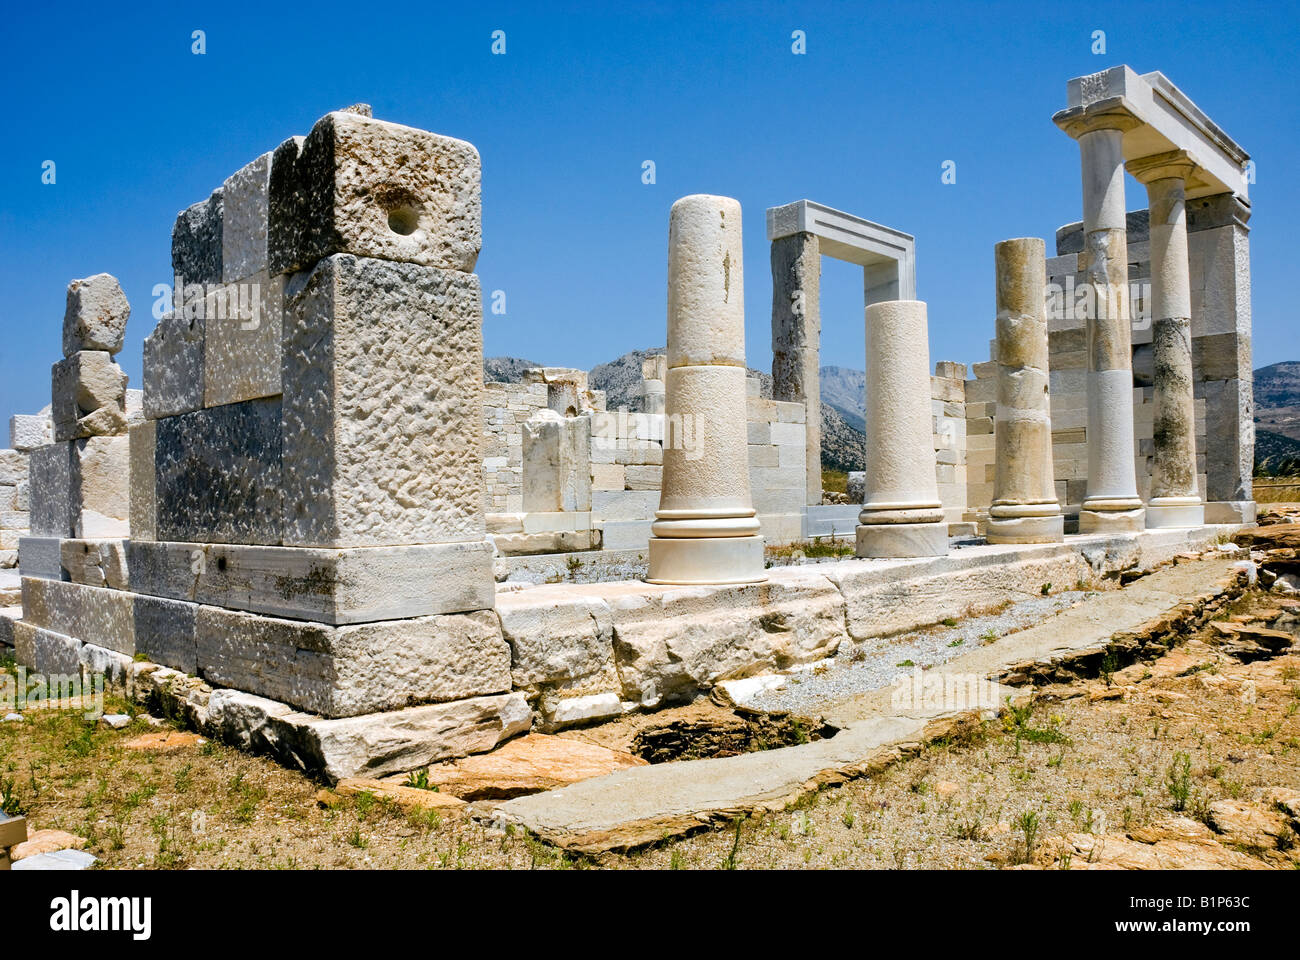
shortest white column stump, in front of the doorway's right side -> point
(902, 513)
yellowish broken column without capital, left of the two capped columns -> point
(1025, 507)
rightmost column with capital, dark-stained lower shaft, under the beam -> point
(1175, 499)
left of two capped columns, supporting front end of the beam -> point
(1112, 504)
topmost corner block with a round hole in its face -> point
(369, 188)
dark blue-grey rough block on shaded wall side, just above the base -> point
(219, 475)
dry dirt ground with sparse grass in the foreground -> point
(1155, 753)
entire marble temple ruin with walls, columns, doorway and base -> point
(320, 534)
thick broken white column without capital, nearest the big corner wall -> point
(707, 530)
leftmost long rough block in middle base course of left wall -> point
(90, 615)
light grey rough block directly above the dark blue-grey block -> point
(241, 354)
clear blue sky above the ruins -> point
(140, 128)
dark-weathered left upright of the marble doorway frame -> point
(796, 339)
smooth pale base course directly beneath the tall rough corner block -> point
(356, 586)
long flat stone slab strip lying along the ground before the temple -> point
(640, 806)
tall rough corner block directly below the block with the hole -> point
(384, 405)
